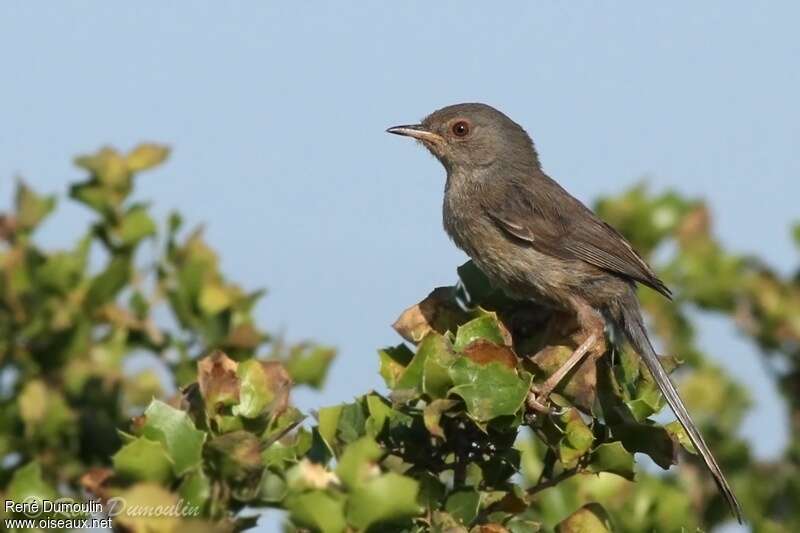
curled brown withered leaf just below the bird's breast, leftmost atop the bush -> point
(437, 312)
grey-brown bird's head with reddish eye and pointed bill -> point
(471, 136)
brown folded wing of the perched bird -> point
(555, 223)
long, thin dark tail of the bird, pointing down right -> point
(637, 336)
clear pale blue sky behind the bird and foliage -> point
(277, 117)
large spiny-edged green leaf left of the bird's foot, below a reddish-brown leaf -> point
(490, 390)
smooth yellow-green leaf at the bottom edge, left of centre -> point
(386, 498)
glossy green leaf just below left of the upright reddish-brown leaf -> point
(176, 431)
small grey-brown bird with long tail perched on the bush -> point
(536, 241)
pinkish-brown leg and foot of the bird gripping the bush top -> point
(592, 326)
